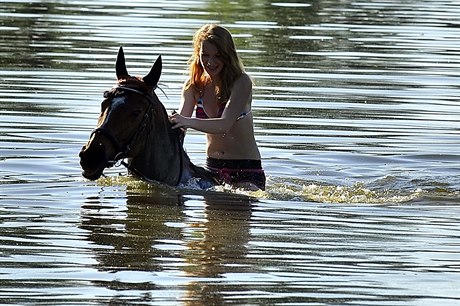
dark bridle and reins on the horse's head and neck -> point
(124, 150)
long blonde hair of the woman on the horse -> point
(233, 67)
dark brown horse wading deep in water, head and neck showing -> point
(133, 125)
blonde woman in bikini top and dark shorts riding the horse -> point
(220, 92)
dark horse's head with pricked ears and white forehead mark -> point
(126, 112)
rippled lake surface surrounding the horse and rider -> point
(356, 107)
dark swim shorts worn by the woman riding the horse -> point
(234, 171)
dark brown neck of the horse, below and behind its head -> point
(160, 154)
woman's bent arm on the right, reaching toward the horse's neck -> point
(239, 98)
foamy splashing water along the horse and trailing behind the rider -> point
(278, 190)
